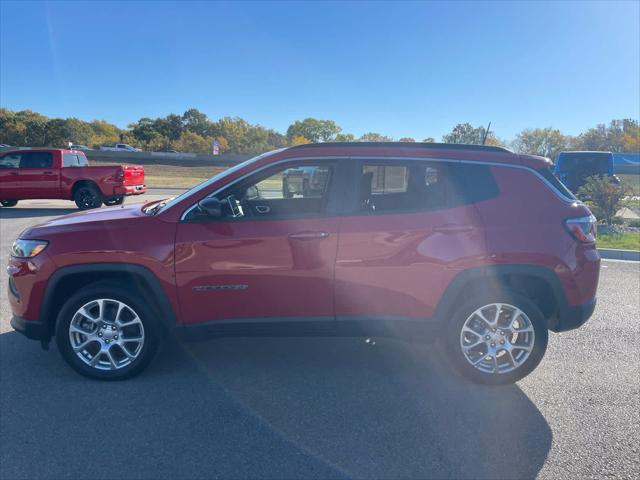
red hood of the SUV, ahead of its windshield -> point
(86, 219)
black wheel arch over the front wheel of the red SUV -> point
(66, 280)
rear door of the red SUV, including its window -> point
(409, 231)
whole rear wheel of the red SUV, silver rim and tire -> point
(496, 339)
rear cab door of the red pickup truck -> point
(37, 176)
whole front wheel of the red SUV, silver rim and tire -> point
(105, 333)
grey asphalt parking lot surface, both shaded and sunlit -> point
(325, 408)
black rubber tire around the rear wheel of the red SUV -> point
(453, 330)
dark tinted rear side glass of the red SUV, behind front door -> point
(424, 186)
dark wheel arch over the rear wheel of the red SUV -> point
(534, 281)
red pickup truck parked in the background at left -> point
(65, 174)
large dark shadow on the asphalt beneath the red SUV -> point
(265, 408)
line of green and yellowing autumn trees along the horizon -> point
(194, 132)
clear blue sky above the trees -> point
(401, 69)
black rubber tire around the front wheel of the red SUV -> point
(152, 330)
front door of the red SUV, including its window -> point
(270, 256)
